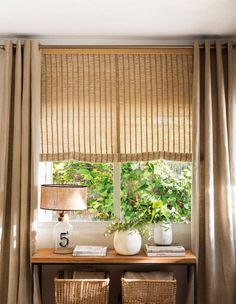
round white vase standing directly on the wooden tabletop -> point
(127, 242)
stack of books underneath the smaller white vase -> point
(158, 250)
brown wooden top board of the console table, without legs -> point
(46, 256)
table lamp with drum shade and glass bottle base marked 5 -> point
(63, 198)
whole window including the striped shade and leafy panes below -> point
(115, 111)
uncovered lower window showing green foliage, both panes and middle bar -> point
(124, 189)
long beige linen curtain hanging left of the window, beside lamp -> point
(19, 158)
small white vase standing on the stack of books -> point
(163, 234)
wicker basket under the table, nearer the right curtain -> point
(140, 291)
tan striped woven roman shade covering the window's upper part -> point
(116, 105)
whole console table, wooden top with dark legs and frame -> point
(45, 256)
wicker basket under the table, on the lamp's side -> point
(81, 291)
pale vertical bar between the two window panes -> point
(117, 189)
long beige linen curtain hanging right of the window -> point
(214, 172)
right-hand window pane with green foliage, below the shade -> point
(144, 183)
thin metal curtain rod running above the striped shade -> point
(44, 46)
